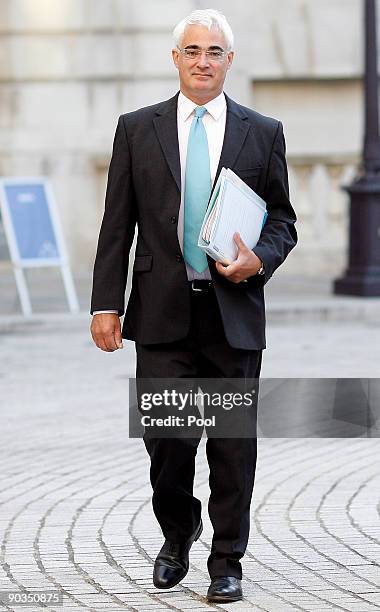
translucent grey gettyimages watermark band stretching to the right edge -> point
(241, 408)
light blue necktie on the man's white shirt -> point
(197, 190)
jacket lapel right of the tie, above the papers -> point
(236, 131)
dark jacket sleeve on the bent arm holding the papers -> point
(279, 235)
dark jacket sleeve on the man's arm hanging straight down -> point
(117, 230)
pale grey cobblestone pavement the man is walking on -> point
(75, 511)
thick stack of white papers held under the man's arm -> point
(233, 207)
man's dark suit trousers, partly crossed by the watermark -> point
(232, 461)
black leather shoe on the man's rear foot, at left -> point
(172, 562)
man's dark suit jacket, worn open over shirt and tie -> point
(144, 189)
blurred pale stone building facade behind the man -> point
(69, 68)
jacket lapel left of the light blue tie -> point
(165, 124)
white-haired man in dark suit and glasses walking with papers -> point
(188, 315)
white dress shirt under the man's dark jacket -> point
(214, 121)
